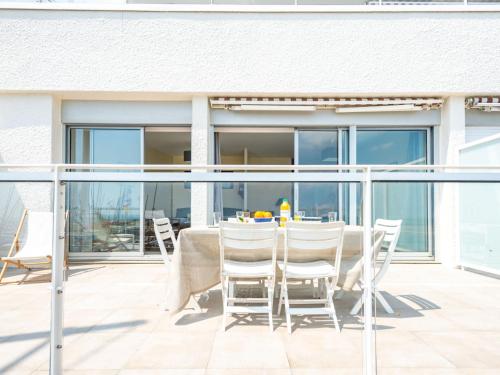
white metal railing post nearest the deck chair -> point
(57, 309)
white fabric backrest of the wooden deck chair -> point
(39, 236)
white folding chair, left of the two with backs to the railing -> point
(237, 239)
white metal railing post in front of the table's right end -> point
(369, 365)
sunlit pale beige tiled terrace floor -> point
(446, 322)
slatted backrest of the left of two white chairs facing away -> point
(245, 238)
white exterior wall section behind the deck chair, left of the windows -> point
(27, 131)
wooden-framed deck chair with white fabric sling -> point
(37, 250)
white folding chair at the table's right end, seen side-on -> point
(392, 230)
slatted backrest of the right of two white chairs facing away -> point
(314, 237)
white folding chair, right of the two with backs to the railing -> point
(324, 239)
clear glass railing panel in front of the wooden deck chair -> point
(24, 294)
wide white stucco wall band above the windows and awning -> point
(433, 53)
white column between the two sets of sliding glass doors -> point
(201, 153)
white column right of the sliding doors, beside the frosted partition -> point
(450, 136)
